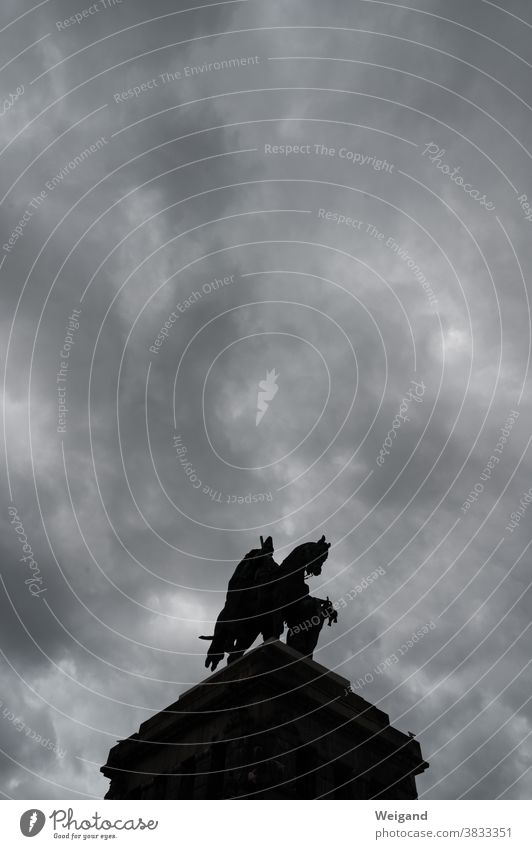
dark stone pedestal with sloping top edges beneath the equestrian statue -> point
(272, 725)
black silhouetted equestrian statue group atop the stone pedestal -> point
(263, 597)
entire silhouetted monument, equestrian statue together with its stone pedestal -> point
(273, 723)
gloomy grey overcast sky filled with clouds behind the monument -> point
(344, 187)
